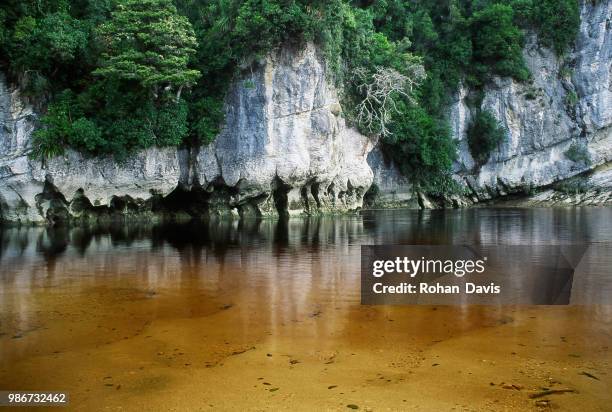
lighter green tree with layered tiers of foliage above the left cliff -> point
(148, 42)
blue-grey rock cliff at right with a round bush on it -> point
(568, 103)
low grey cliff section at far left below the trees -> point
(39, 191)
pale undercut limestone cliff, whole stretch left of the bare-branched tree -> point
(284, 148)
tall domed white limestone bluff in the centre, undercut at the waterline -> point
(285, 144)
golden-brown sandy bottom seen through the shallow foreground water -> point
(212, 337)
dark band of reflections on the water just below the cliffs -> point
(218, 236)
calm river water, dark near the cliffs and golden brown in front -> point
(265, 315)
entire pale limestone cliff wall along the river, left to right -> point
(285, 147)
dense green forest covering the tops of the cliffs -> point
(121, 75)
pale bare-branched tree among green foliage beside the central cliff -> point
(380, 92)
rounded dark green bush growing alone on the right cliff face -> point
(484, 136)
